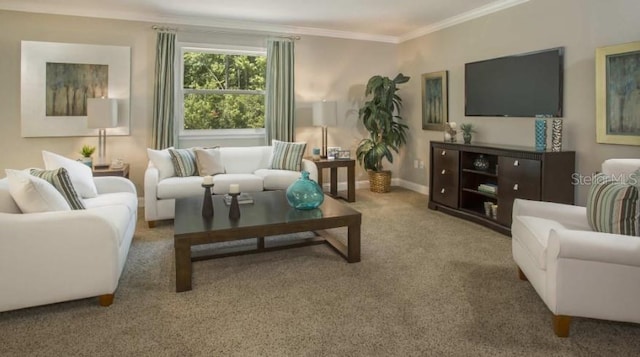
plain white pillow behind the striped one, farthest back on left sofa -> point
(80, 174)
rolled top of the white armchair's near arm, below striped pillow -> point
(593, 246)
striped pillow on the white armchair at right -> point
(613, 207)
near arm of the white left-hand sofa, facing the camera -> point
(56, 256)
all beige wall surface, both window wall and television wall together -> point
(337, 69)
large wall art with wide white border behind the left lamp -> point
(58, 78)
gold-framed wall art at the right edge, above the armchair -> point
(618, 94)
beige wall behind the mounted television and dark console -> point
(579, 25)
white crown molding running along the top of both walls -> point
(254, 27)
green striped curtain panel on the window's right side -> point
(279, 103)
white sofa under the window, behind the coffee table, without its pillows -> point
(246, 166)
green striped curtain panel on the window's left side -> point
(164, 91)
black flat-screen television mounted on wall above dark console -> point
(523, 85)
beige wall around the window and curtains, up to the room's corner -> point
(325, 68)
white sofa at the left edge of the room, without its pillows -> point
(57, 256)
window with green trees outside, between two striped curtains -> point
(223, 91)
